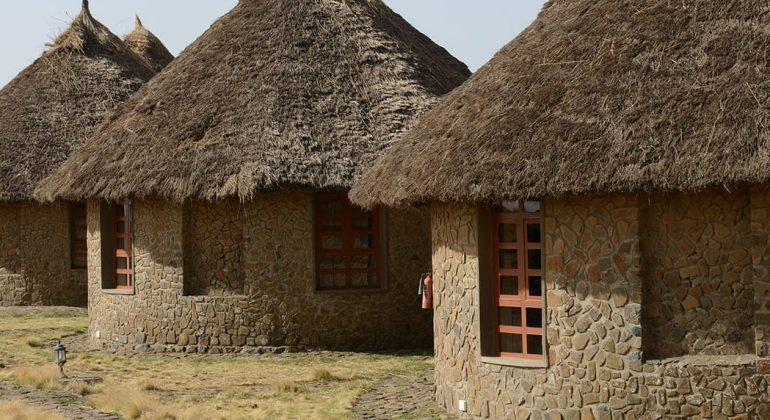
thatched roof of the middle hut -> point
(276, 94)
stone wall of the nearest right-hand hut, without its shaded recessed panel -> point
(596, 365)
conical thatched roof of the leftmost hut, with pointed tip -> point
(54, 103)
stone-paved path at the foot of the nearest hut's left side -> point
(407, 396)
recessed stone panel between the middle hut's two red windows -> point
(213, 237)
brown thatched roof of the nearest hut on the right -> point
(598, 96)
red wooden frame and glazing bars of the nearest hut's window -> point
(523, 300)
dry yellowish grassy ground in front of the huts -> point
(333, 385)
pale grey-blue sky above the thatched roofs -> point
(472, 31)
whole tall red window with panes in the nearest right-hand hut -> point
(518, 275)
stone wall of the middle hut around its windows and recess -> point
(280, 305)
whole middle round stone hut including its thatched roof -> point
(218, 218)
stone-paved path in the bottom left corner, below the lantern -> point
(63, 403)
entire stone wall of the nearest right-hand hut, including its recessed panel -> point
(599, 272)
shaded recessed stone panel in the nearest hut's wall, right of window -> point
(698, 267)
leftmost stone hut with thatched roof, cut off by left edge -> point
(45, 112)
